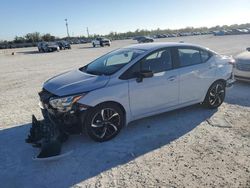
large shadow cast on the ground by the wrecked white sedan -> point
(17, 169)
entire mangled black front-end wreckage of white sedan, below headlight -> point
(50, 133)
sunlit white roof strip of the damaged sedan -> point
(159, 45)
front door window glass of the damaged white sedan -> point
(158, 61)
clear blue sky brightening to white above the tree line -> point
(19, 17)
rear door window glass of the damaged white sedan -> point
(189, 56)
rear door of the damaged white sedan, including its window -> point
(197, 72)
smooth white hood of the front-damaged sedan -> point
(73, 82)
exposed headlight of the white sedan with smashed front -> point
(64, 104)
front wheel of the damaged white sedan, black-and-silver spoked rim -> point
(104, 122)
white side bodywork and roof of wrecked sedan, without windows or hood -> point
(166, 90)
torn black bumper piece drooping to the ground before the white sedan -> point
(45, 135)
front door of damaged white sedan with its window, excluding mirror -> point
(159, 92)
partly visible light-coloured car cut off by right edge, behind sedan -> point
(242, 66)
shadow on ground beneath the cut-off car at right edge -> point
(239, 94)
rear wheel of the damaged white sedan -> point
(215, 95)
